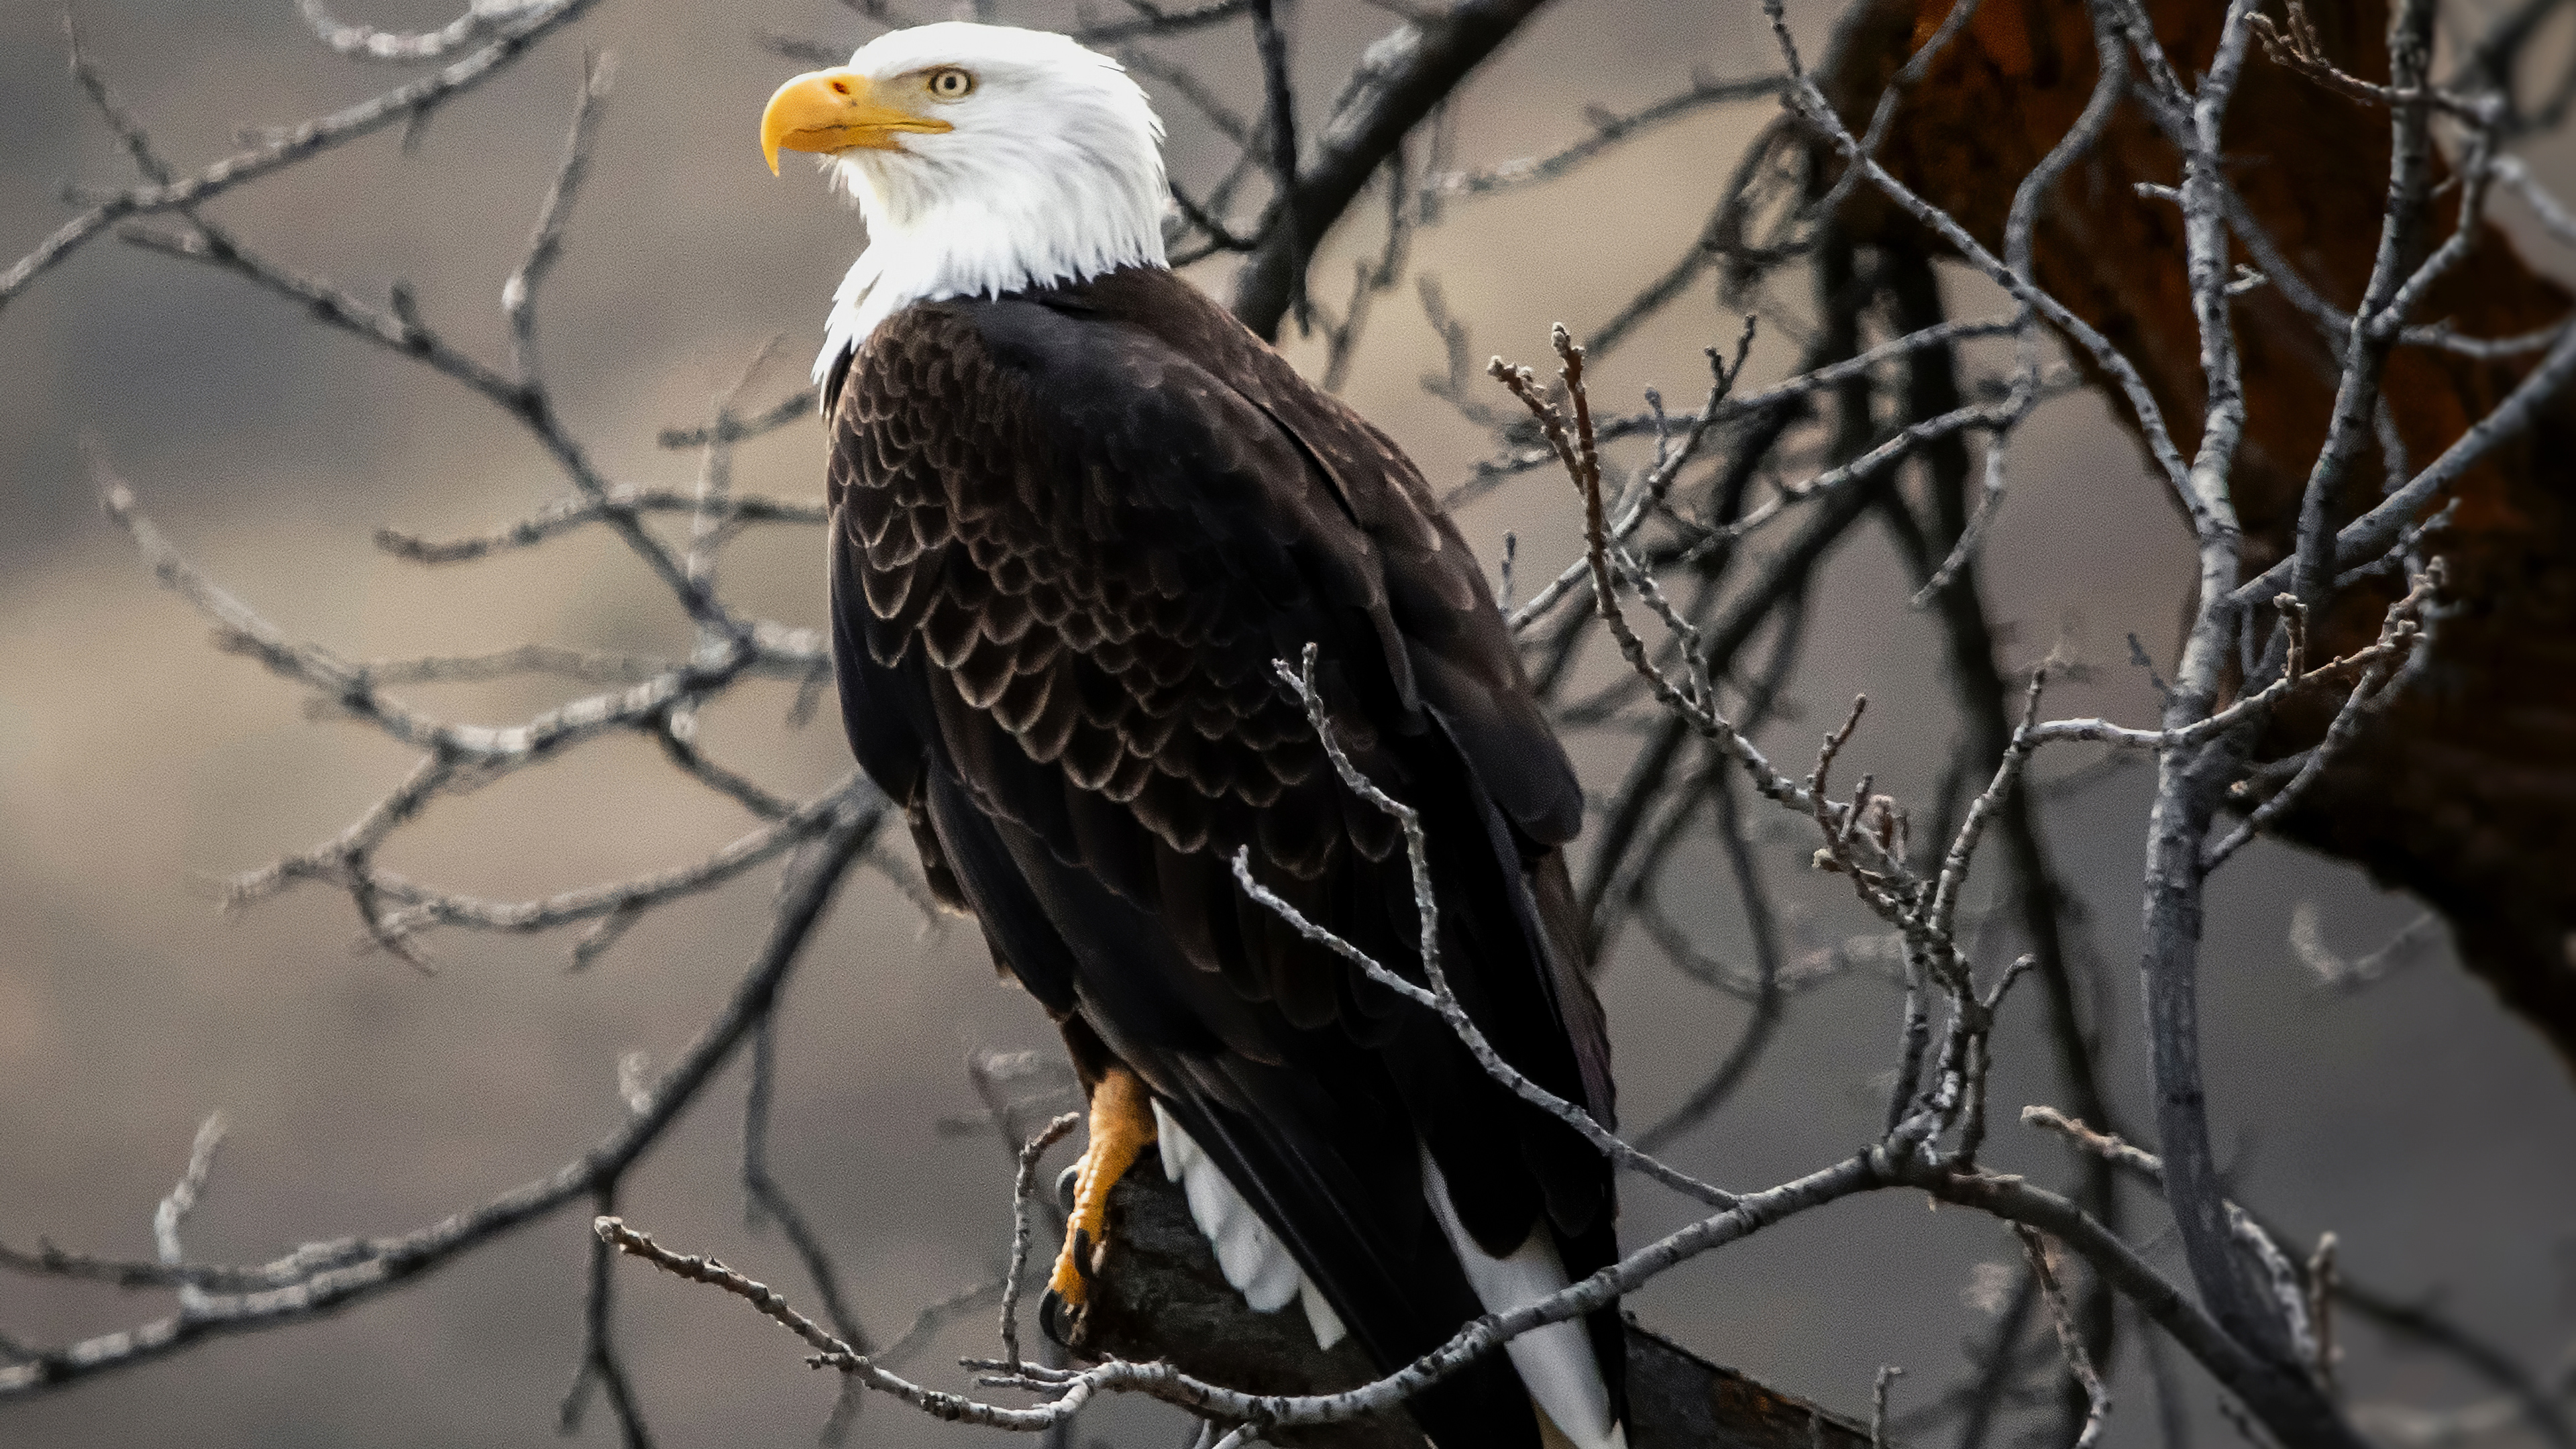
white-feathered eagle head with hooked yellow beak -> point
(985, 161)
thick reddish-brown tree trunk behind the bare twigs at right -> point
(2467, 790)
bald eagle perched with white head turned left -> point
(1078, 512)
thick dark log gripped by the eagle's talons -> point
(1160, 1296)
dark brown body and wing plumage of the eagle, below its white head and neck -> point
(1070, 535)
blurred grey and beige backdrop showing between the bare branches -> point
(140, 767)
